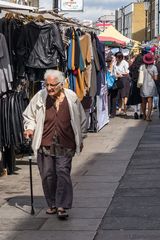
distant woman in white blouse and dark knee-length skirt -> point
(121, 69)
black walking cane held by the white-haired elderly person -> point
(30, 173)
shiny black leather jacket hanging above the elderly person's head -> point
(41, 46)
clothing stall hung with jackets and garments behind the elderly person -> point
(76, 50)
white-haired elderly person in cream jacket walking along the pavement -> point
(56, 122)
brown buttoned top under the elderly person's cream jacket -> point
(59, 123)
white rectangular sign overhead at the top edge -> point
(71, 5)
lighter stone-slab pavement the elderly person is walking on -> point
(96, 175)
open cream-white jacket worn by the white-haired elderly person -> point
(34, 116)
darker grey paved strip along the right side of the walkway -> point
(134, 212)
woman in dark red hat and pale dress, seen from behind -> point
(148, 89)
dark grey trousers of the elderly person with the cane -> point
(56, 180)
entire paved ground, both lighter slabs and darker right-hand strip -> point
(116, 183)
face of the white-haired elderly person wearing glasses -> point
(53, 87)
